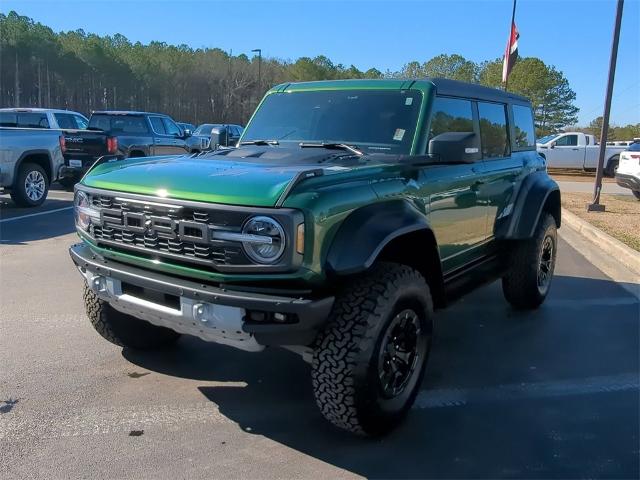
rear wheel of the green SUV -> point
(532, 263)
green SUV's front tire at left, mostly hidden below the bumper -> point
(124, 330)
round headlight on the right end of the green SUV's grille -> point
(269, 241)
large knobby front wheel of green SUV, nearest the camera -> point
(369, 361)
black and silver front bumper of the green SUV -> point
(209, 312)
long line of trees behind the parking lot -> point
(84, 72)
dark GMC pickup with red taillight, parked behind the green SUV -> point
(122, 134)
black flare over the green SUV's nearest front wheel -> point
(367, 230)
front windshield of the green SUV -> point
(373, 120)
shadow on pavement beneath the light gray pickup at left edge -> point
(52, 223)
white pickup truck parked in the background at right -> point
(577, 150)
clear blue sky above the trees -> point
(573, 35)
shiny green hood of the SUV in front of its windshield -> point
(252, 176)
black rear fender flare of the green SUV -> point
(538, 192)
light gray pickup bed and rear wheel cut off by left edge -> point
(30, 160)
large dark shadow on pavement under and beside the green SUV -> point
(585, 425)
